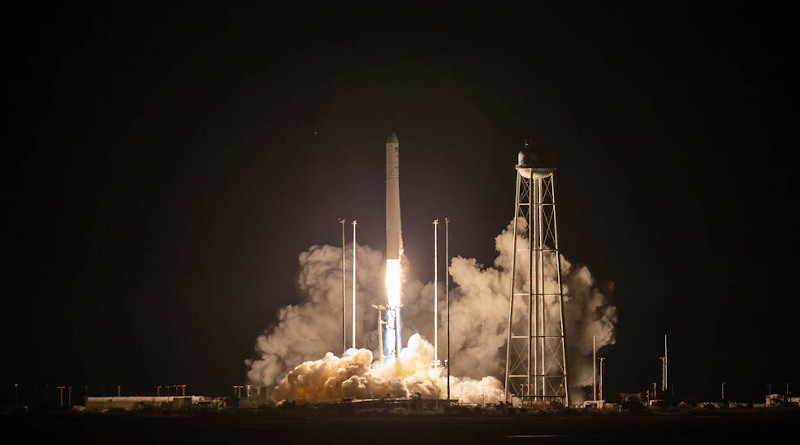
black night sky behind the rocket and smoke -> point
(165, 163)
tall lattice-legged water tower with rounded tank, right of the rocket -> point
(536, 362)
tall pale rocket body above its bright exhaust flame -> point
(394, 240)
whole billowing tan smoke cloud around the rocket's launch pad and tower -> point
(478, 320)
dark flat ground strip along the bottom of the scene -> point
(723, 427)
